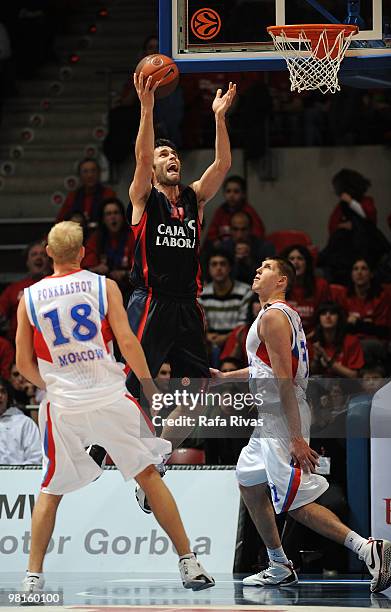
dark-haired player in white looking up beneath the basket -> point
(278, 454)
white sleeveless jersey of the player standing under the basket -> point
(259, 362)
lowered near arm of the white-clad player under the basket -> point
(275, 331)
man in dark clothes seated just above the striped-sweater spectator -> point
(247, 250)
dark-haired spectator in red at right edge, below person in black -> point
(368, 312)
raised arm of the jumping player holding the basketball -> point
(141, 185)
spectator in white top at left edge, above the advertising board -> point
(20, 442)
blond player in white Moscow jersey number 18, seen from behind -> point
(66, 324)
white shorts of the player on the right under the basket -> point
(267, 459)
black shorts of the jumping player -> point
(169, 331)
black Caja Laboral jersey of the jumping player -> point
(166, 251)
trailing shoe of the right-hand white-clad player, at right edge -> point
(377, 556)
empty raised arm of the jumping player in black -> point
(210, 182)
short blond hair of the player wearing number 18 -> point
(65, 240)
